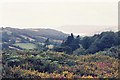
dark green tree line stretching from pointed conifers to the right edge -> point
(90, 44)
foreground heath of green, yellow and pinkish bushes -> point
(49, 64)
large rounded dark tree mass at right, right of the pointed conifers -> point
(103, 41)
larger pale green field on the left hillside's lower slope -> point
(26, 45)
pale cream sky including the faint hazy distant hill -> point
(83, 17)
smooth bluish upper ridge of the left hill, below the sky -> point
(47, 33)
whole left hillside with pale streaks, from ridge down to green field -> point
(13, 36)
